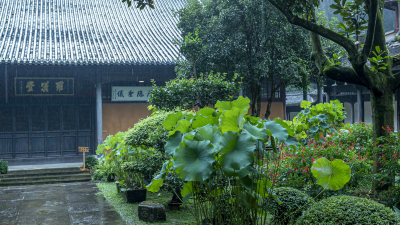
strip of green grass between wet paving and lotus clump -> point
(128, 211)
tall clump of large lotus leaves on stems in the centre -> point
(213, 151)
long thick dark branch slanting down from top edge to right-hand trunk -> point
(318, 29)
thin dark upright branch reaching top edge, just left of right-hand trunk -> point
(372, 19)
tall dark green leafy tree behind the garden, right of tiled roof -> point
(249, 38)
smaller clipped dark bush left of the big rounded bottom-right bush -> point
(293, 203)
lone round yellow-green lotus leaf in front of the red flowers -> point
(332, 175)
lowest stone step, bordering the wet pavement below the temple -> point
(46, 180)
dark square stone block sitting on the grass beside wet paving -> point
(151, 211)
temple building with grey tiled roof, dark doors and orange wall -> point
(74, 71)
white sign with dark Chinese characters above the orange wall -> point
(130, 93)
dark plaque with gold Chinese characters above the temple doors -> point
(31, 86)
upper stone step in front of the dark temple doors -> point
(40, 172)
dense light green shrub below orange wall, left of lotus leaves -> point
(148, 132)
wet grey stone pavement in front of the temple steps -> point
(56, 204)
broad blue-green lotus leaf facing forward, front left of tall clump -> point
(194, 160)
